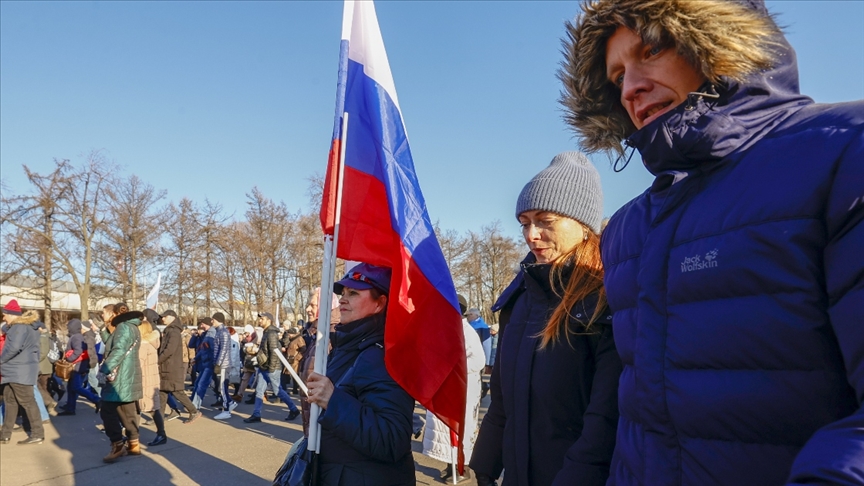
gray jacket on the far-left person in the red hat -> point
(19, 361)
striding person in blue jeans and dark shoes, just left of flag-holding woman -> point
(269, 369)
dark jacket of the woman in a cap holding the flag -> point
(366, 429)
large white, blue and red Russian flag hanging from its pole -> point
(384, 222)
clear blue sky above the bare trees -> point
(209, 99)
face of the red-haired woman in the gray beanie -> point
(550, 235)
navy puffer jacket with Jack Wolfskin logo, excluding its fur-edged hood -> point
(737, 283)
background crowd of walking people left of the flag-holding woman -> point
(129, 369)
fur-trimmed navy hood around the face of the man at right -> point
(735, 44)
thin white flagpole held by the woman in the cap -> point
(328, 269)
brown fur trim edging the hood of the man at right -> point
(721, 38)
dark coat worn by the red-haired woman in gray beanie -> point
(554, 411)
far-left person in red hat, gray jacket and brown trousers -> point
(19, 367)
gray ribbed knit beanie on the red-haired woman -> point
(570, 186)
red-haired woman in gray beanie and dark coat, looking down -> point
(554, 407)
